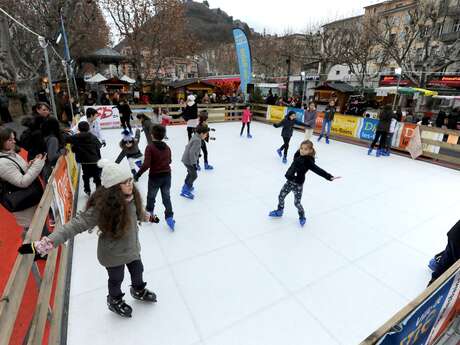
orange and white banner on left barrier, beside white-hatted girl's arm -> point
(63, 194)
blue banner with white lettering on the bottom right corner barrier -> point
(424, 324)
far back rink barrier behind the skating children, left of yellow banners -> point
(109, 116)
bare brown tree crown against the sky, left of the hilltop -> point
(154, 30)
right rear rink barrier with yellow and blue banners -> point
(439, 144)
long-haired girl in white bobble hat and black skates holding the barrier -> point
(115, 208)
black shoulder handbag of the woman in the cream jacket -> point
(16, 199)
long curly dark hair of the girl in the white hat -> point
(113, 211)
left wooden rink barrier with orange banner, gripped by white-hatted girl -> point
(59, 196)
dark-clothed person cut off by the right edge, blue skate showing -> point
(442, 261)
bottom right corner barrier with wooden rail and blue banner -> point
(426, 319)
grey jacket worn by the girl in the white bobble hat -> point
(110, 252)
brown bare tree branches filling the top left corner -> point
(21, 58)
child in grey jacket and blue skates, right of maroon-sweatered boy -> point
(190, 159)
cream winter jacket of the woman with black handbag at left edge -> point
(9, 172)
